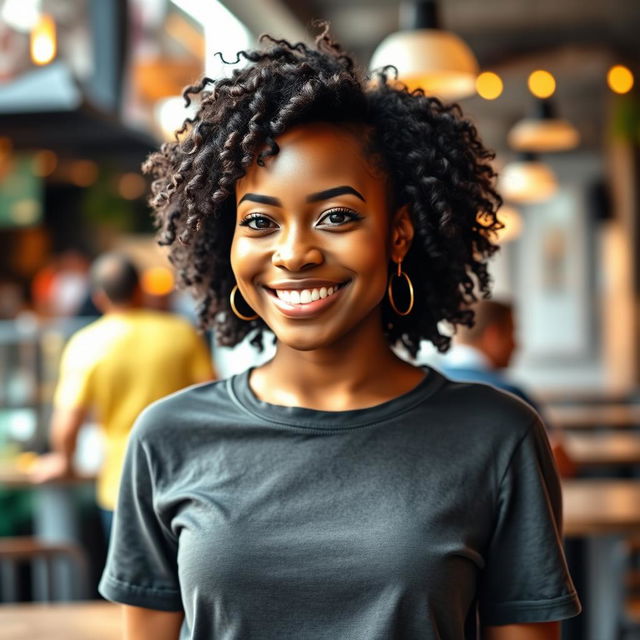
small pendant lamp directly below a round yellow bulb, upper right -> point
(543, 131)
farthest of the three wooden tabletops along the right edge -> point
(617, 416)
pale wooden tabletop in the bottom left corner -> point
(69, 621)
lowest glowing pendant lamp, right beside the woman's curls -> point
(527, 180)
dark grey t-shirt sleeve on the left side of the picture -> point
(141, 567)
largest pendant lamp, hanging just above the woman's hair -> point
(426, 56)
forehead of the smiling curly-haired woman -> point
(313, 157)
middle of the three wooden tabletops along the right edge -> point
(603, 448)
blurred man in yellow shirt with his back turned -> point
(115, 367)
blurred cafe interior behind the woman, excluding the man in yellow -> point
(88, 88)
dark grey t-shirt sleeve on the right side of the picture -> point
(525, 578)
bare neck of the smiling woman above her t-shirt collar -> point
(359, 370)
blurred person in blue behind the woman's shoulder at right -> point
(483, 353)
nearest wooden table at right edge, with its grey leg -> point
(602, 512)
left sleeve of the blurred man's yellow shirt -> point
(73, 389)
